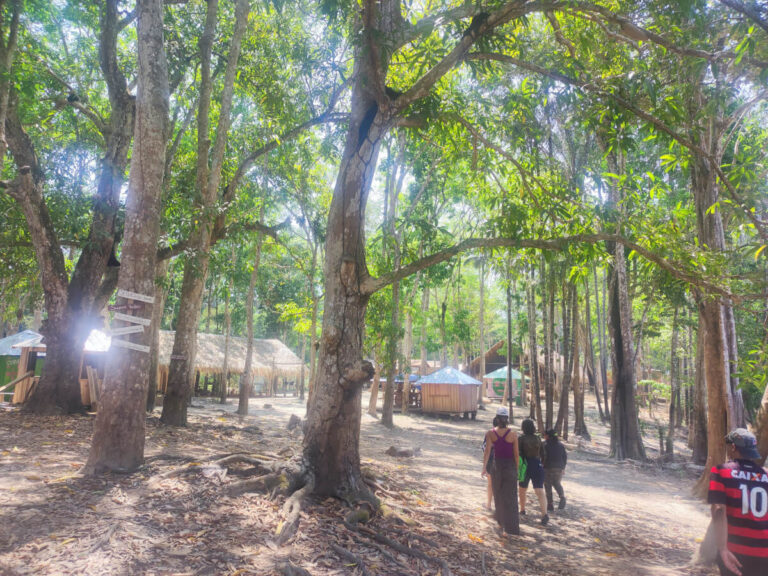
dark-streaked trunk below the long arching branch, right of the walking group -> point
(626, 440)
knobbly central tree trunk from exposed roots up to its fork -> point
(331, 441)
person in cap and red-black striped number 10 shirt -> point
(738, 493)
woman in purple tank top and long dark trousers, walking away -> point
(503, 441)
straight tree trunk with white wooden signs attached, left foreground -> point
(118, 434)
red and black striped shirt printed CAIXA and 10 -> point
(742, 486)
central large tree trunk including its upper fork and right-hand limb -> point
(331, 442)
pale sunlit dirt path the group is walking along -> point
(620, 518)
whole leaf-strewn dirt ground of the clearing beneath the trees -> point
(175, 516)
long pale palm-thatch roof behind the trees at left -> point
(270, 357)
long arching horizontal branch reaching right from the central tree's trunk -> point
(371, 284)
